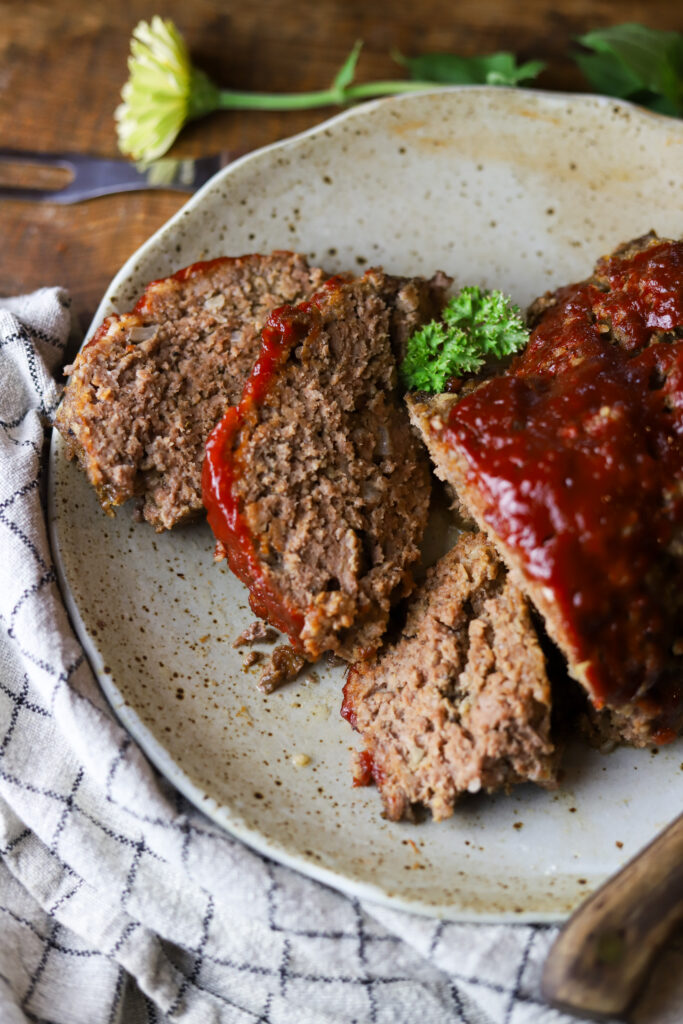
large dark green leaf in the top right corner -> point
(636, 63)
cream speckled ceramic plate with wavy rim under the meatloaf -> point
(517, 190)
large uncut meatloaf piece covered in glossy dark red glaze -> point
(573, 463)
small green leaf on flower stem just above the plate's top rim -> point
(449, 69)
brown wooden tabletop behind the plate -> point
(63, 65)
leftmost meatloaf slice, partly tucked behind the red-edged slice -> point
(149, 388)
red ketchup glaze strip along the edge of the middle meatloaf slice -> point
(285, 329)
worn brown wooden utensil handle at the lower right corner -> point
(601, 959)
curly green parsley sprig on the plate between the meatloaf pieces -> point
(476, 324)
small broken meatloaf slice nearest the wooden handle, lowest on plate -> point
(462, 702)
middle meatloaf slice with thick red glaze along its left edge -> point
(315, 485)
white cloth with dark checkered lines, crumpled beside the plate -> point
(119, 902)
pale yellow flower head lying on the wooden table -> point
(162, 94)
